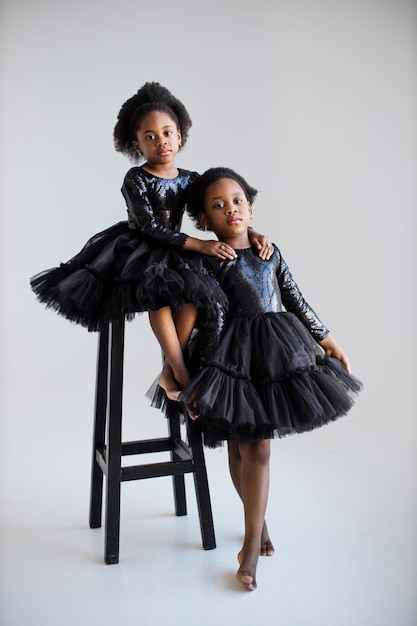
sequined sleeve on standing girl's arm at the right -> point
(294, 302)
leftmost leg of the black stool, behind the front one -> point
(96, 491)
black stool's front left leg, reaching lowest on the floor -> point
(114, 444)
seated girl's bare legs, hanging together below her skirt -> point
(173, 335)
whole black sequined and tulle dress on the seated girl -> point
(135, 265)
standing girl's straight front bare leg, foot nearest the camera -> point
(254, 487)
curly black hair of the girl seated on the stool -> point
(150, 97)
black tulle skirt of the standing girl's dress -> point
(268, 378)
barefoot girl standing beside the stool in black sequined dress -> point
(269, 372)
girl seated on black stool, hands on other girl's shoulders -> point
(145, 263)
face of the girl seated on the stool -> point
(157, 138)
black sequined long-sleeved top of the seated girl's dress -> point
(156, 209)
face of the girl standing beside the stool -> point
(227, 211)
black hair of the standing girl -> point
(196, 192)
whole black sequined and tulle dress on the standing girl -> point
(266, 375)
